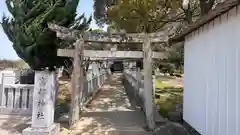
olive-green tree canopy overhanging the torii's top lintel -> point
(125, 12)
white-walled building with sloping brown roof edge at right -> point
(212, 72)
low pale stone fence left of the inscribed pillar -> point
(16, 99)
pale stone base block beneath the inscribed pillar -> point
(52, 130)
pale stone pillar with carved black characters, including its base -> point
(43, 105)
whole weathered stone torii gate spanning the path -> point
(78, 53)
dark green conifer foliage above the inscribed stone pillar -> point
(27, 29)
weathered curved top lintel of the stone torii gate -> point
(108, 38)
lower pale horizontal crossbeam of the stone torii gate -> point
(110, 54)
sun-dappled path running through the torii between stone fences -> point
(111, 113)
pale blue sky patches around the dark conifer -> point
(7, 52)
